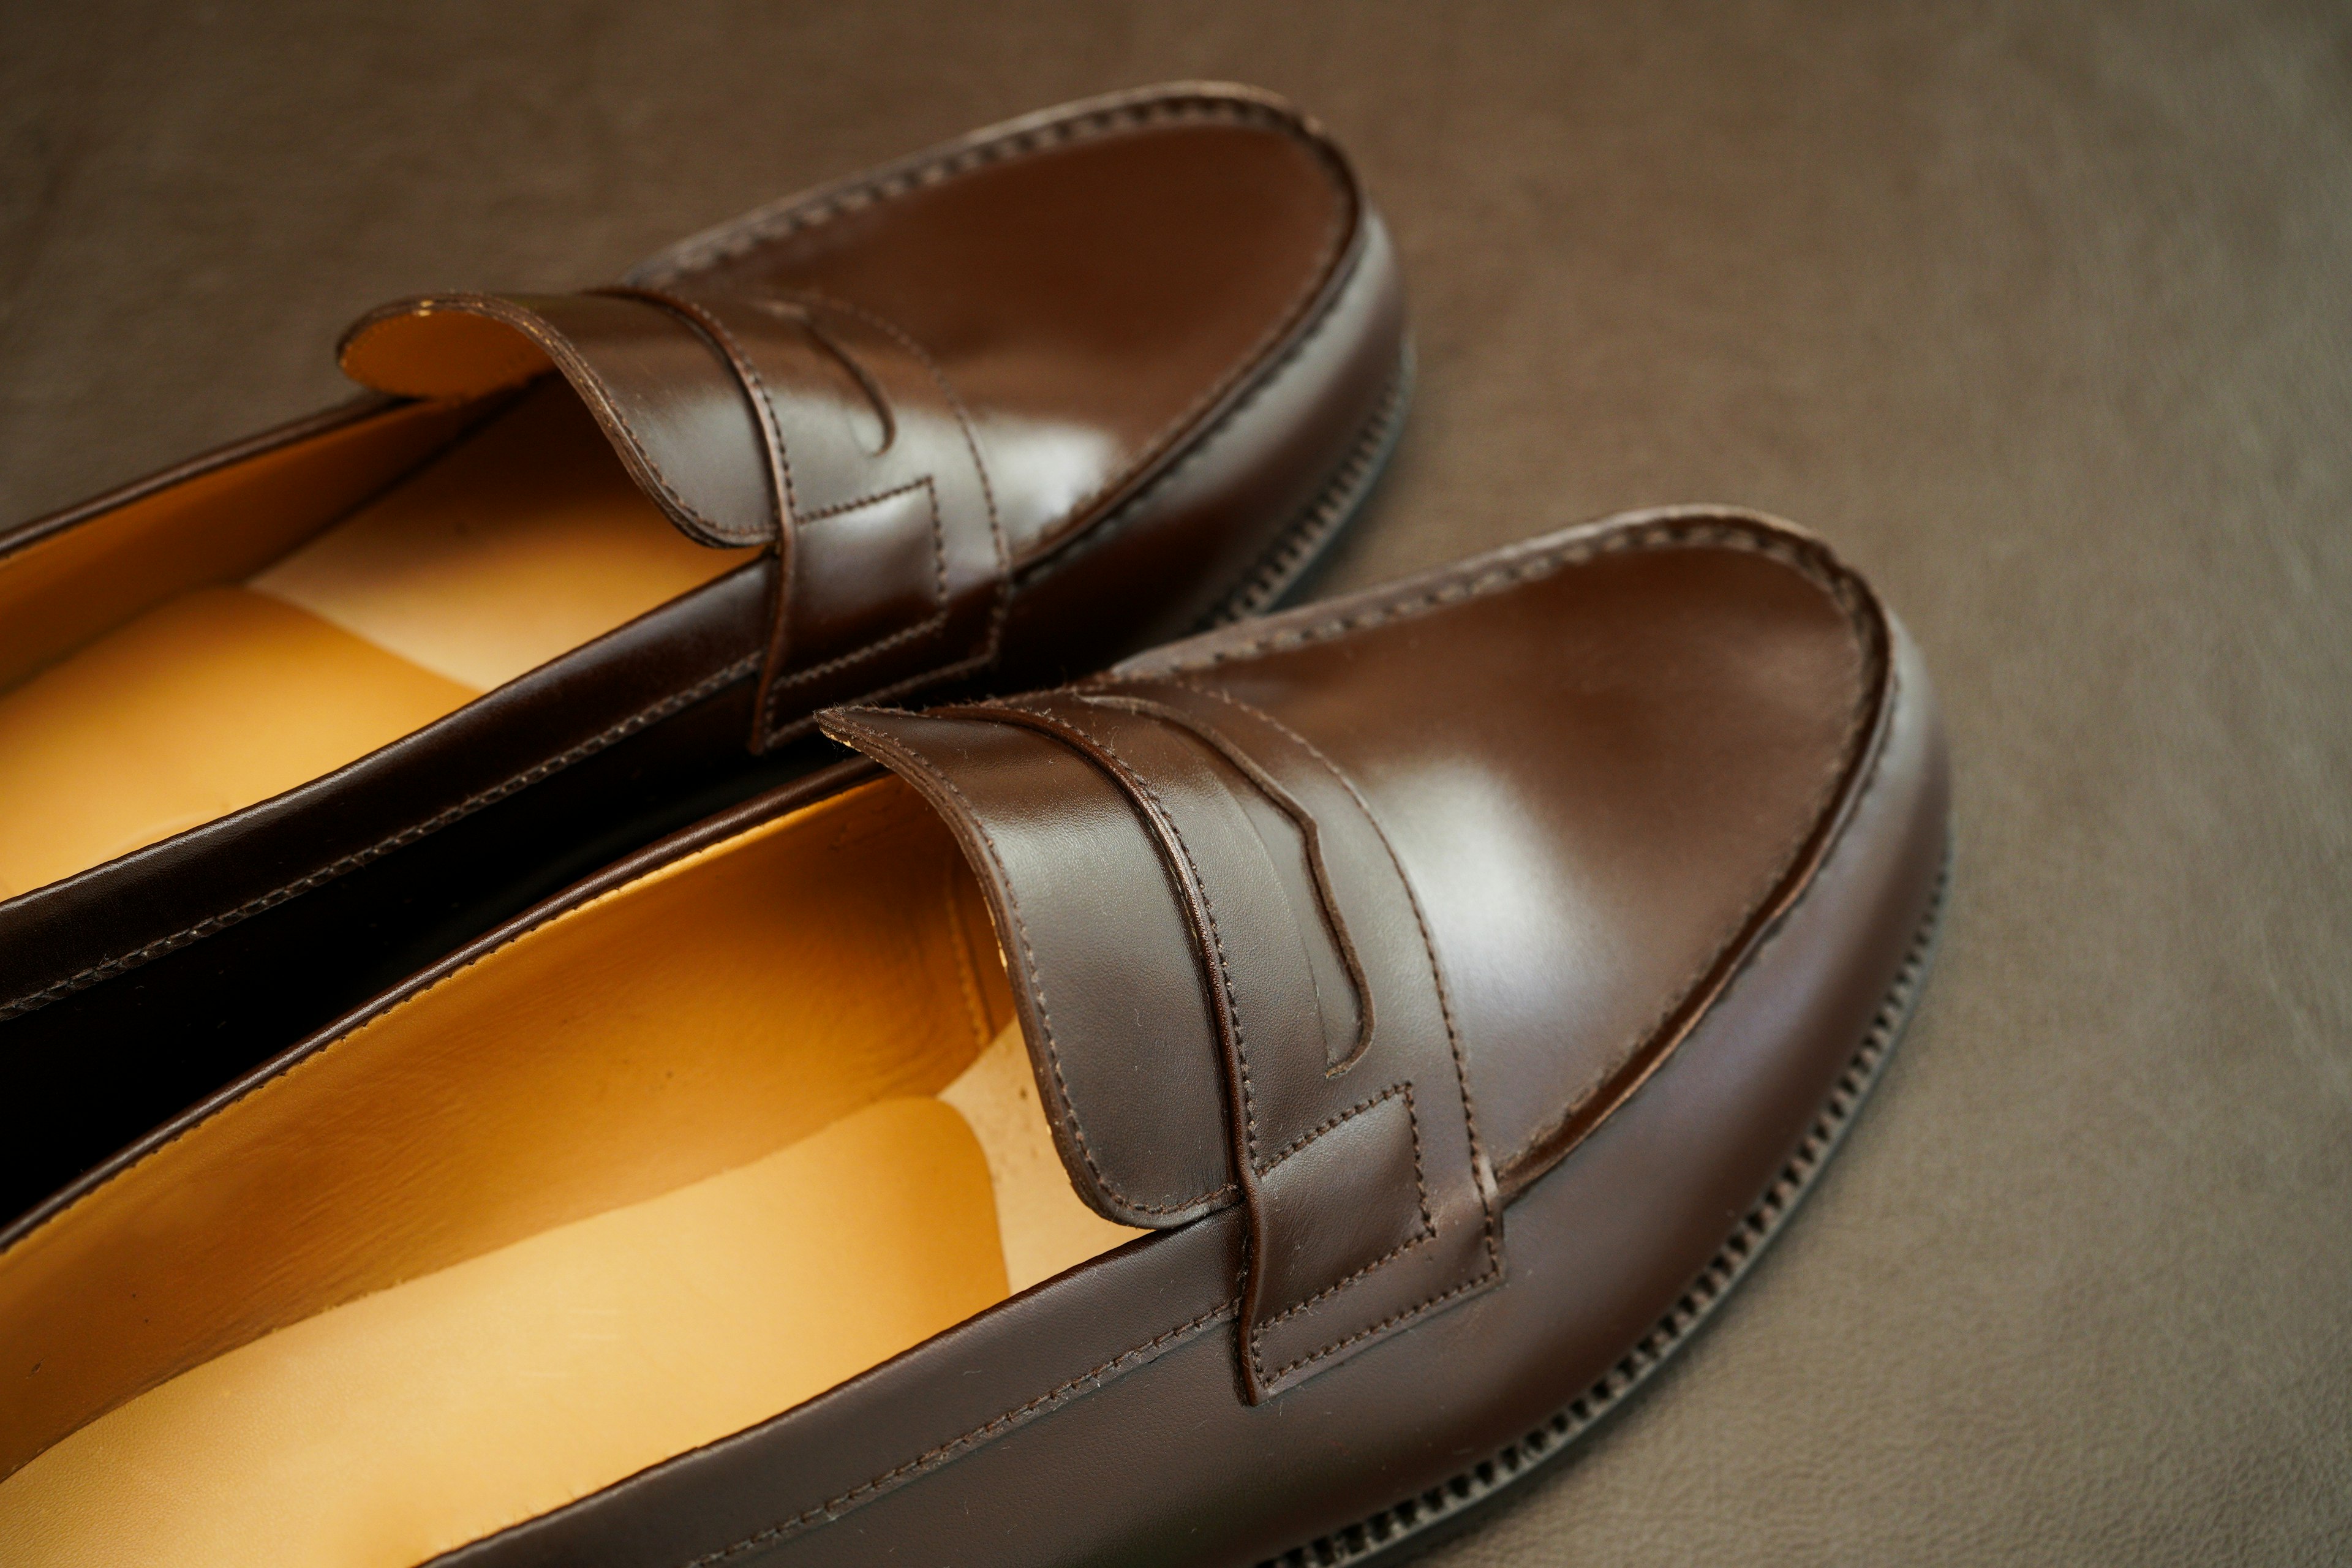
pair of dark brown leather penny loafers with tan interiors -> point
(1245, 1106)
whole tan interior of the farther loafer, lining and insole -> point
(239, 636)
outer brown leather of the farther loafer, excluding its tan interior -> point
(1003, 410)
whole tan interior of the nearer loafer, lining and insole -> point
(639, 1179)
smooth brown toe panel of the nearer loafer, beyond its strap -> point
(1598, 784)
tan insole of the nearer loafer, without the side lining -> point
(413, 1421)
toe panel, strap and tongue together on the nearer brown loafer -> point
(1368, 916)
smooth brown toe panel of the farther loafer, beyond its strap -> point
(1076, 375)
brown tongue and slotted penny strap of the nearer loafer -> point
(1224, 960)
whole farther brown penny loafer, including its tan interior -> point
(330, 702)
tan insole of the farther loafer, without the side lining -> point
(512, 549)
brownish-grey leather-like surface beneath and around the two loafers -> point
(2045, 319)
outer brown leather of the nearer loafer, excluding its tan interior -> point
(1648, 1036)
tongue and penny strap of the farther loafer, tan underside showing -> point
(782, 420)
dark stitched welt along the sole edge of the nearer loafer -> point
(1429, 1517)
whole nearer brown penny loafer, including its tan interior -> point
(1243, 1108)
